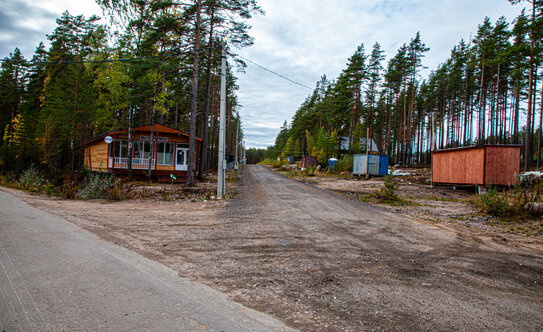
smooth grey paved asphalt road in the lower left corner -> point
(55, 276)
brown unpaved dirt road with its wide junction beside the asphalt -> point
(319, 261)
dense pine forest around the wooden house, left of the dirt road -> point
(155, 62)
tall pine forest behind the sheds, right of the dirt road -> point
(487, 92)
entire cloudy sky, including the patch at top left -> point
(299, 39)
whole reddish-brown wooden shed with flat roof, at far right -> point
(477, 165)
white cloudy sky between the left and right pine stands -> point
(305, 39)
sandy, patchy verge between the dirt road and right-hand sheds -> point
(444, 204)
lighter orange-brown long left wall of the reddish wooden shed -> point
(459, 166)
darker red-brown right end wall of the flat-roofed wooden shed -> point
(502, 165)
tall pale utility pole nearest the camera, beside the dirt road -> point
(222, 133)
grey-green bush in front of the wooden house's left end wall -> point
(100, 185)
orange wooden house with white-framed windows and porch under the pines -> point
(109, 152)
